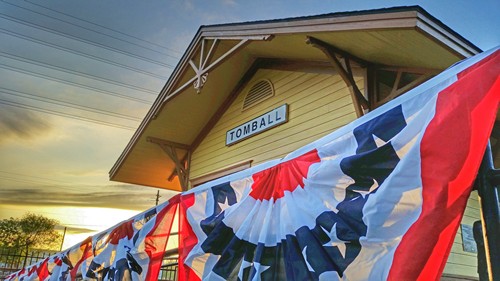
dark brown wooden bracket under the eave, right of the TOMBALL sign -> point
(344, 70)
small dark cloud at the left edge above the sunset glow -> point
(21, 124)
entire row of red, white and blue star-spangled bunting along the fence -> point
(379, 199)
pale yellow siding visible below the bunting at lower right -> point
(461, 263)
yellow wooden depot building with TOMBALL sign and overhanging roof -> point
(246, 93)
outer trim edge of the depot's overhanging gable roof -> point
(399, 17)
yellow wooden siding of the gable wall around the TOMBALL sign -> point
(318, 104)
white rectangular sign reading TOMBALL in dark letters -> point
(262, 123)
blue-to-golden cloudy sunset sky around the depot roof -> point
(77, 77)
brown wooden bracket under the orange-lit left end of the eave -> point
(182, 166)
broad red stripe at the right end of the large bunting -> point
(451, 151)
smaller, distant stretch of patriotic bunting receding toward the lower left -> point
(132, 250)
